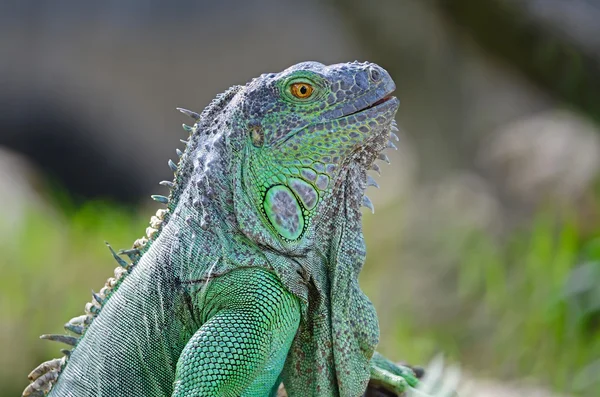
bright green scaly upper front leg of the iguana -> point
(241, 348)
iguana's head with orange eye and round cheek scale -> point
(303, 136)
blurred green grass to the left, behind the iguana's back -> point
(49, 265)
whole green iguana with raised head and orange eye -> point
(249, 277)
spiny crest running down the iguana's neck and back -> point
(46, 374)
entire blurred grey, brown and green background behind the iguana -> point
(485, 240)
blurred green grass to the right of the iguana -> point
(510, 309)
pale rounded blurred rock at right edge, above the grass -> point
(552, 155)
